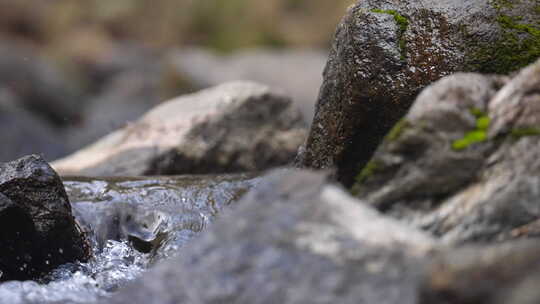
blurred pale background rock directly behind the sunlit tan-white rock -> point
(297, 71)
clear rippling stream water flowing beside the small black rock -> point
(132, 223)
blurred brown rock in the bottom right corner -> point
(507, 273)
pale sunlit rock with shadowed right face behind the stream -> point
(234, 127)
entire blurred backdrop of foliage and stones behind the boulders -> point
(72, 71)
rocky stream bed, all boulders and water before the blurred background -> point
(416, 183)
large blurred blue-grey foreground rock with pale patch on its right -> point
(294, 239)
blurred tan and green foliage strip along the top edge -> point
(223, 25)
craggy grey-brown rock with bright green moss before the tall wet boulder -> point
(463, 163)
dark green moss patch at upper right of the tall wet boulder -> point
(518, 46)
